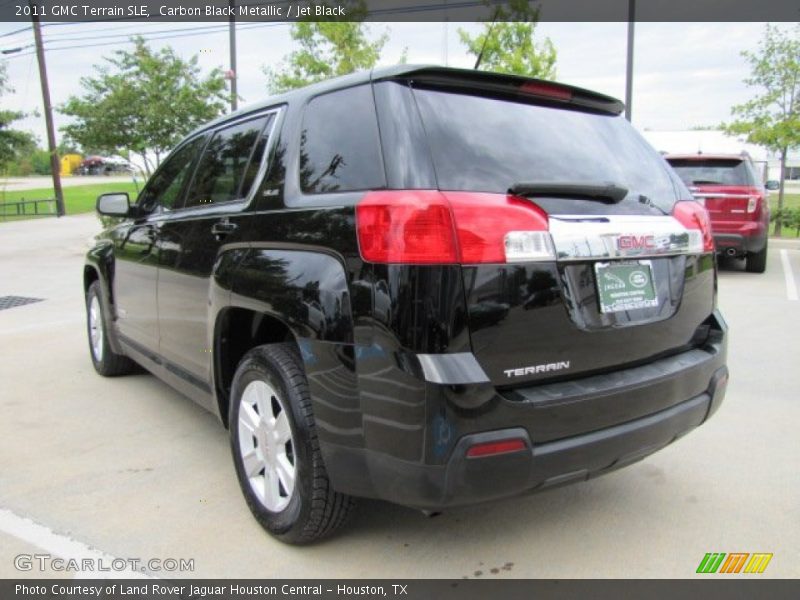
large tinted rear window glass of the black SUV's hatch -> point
(487, 144)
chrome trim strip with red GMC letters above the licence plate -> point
(595, 237)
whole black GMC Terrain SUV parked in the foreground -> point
(431, 286)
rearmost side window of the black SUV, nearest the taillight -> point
(339, 148)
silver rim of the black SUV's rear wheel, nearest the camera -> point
(266, 446)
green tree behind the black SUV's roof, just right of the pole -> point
(327, 49)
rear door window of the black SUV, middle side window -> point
(229, 164)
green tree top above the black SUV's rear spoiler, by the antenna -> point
(509, 46)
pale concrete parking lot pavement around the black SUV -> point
(128, 468)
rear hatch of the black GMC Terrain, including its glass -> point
(623, 272)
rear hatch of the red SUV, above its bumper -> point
(726, 186)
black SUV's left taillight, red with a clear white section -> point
(431, 227)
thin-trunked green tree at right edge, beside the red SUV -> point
(772, 118)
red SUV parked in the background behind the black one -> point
(735, 199)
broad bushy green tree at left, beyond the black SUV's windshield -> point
(143, 102)
